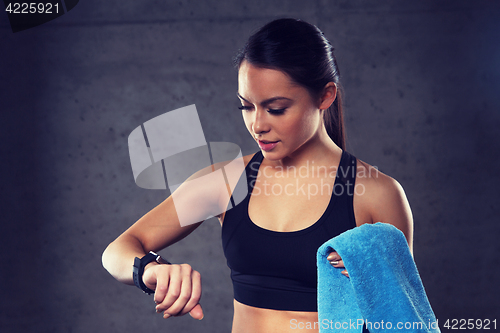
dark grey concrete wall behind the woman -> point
(422, 83)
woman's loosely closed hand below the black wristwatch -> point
(177, 289)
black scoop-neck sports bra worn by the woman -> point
(277, 270)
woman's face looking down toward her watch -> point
(279, 114)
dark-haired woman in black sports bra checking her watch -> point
(304, 189)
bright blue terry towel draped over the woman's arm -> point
(383, 290)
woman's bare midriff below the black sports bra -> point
(248, 319)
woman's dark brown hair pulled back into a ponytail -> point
(300, 50)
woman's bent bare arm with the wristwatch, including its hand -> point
(177, 287)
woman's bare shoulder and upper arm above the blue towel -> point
(381, 198)
